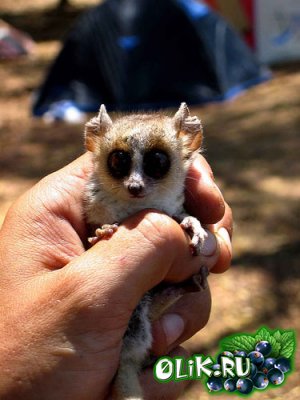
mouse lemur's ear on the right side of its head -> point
(188, 128)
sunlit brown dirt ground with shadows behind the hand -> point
(253, 145)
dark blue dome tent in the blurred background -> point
(140, 54)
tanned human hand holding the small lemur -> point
(64, 310)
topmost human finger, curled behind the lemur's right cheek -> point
(203, 197)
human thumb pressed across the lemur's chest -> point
(148, 248)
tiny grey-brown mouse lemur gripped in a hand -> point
(141, 161)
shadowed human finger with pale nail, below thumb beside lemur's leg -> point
(183, 319)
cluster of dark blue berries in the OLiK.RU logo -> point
(264, 370)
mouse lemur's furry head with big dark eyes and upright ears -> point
(143, 155)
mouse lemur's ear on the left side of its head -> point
(96, 127)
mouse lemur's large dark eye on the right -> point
(156, 163)
